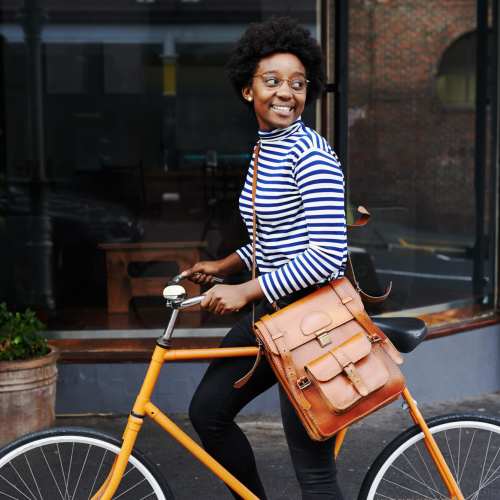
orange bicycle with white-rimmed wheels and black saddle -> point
(451, 456)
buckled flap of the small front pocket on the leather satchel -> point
(331, 364)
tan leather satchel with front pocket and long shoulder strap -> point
(334, 363)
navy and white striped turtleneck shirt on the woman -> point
(301, 226)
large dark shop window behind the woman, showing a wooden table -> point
(123, 150)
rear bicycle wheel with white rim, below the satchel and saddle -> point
(470, 445)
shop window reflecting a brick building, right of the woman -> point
(422, 169)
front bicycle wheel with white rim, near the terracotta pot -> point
(71, 464)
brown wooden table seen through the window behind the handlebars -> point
(122, 286)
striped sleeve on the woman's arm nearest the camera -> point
(321, 185)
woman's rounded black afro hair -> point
(277, 35)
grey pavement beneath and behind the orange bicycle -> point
(189, 480)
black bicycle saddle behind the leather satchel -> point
(404, 333)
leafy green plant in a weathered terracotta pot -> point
(28, 375)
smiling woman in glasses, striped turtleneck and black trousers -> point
(276, 68)
